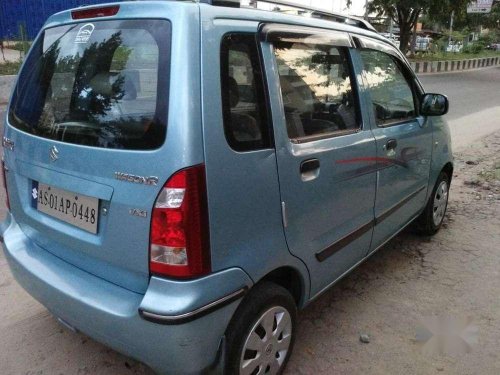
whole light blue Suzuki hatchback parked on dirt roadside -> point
(184, 176)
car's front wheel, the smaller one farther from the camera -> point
(431, 220)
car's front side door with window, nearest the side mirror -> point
(404, 143)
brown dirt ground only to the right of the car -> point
(455, 274)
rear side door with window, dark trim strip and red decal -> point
(325, 154)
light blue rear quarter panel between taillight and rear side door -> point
(246, 227)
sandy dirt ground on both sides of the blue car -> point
(455, 274)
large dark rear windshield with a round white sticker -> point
(101, 84)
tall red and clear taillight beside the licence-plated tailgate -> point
(179, 243)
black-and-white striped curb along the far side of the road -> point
(423, 67)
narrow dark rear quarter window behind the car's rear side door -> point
(243, 97)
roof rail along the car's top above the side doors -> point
(310, 11)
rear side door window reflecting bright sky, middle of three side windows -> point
(317, 91)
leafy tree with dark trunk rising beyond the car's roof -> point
(407, 12)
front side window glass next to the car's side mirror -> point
(392, 95)
